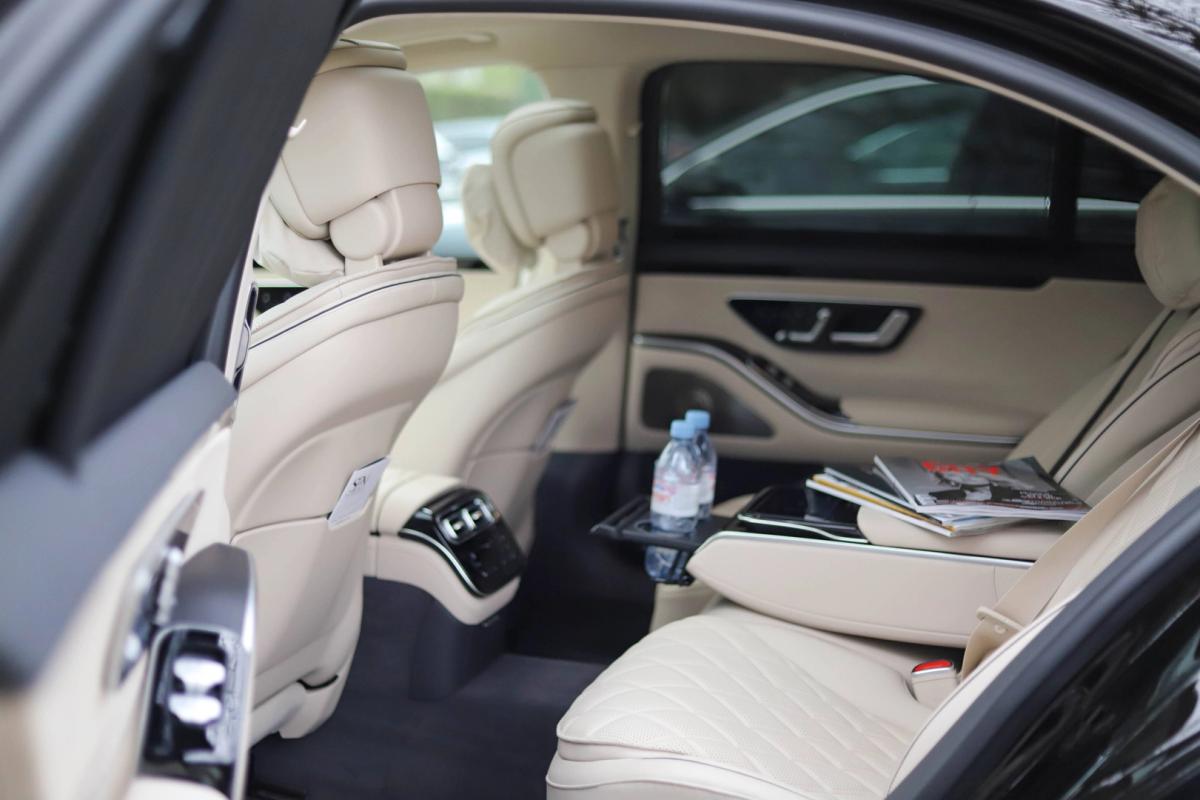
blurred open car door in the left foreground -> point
(139, 139)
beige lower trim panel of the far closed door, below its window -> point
(983, 363)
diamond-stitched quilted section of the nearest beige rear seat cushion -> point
(717, 691)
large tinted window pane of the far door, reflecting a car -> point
(850, 151)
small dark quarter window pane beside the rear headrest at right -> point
(1112, 184)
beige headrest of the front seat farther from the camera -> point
(556, 179)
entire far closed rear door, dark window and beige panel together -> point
(844, 263)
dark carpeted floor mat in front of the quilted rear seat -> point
(494, 738)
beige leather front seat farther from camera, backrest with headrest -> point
(544, 214)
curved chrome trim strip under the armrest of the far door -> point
(815, 417)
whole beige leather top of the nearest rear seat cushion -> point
(758, 697)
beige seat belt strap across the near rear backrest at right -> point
(1028, 599)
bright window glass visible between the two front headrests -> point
(467, 106)
